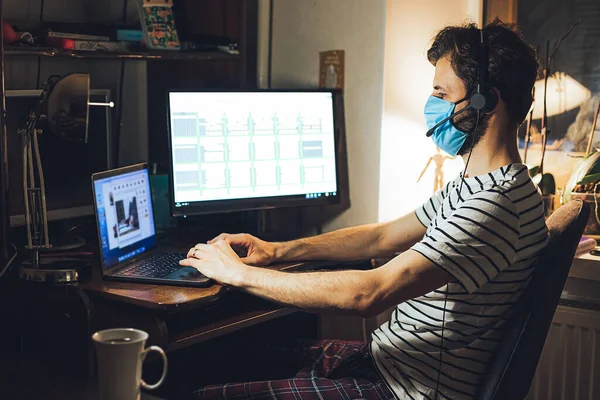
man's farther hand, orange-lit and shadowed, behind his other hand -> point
(258, 252)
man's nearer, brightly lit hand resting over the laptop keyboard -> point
(217, 261)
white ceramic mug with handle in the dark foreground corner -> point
(120, 353)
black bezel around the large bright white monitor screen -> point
(259, 203)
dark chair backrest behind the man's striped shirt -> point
(510, 372)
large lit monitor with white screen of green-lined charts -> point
(248, 150)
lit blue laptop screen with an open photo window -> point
(125, 219)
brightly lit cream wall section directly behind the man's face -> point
(410, 26)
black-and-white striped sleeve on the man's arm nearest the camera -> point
(476, 242)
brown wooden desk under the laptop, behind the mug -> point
(176, 317)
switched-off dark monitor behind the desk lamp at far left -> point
(67, 166)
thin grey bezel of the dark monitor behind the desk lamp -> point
(58, 214)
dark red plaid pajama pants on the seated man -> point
(328, 370)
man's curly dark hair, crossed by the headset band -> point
(512, 64)
